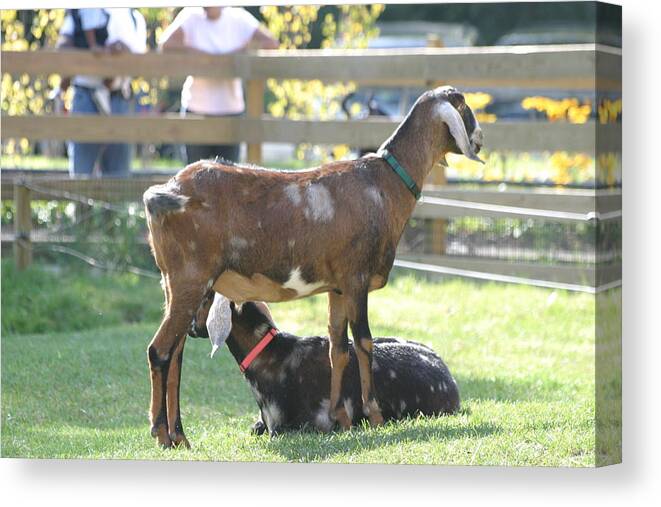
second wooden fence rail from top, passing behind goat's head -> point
(503, 135)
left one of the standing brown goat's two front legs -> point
(339, 357)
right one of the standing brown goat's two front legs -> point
(362, 339)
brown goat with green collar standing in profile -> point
(265, 235)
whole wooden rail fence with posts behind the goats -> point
(569, 67)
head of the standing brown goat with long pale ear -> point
(449, 106)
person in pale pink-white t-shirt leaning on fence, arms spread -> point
(214, 30)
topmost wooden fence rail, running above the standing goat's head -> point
(573, 66)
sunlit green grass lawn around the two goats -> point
(523, 358)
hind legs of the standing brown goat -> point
(167, 345)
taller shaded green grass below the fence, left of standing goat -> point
(60, 298)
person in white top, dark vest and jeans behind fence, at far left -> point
(102, 30)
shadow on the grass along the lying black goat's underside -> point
(312, 446)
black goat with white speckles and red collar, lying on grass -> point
(290, 376)
